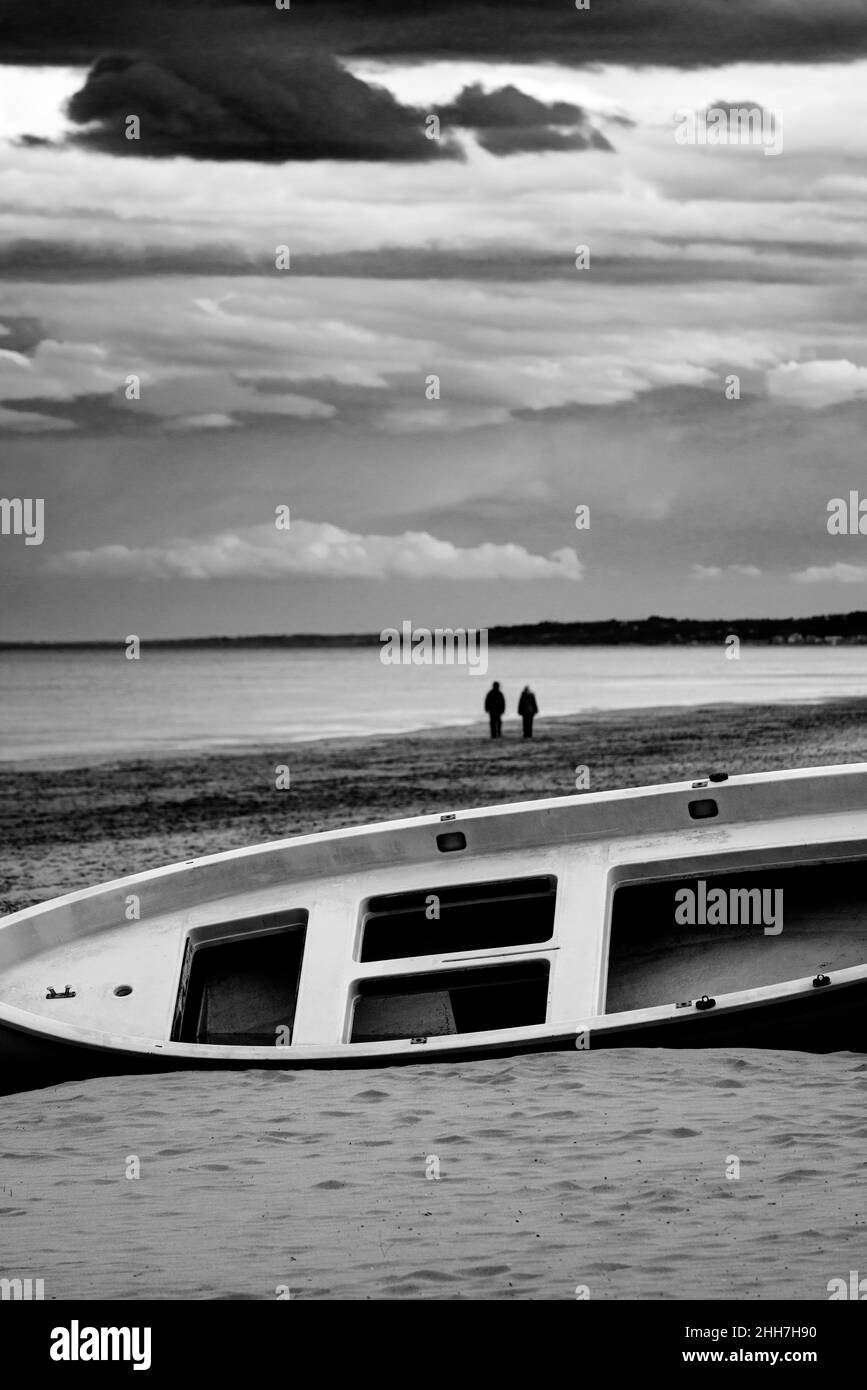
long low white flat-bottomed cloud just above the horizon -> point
(319, 550)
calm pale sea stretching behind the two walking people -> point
(90, 704)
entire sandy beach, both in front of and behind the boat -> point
(561, 1177)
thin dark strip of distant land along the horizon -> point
(825, 629)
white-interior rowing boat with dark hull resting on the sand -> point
(720, 913)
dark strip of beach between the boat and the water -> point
(77, 826)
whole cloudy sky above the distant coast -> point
(337, 273)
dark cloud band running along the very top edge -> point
(679, 34)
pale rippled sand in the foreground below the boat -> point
(602, 1170)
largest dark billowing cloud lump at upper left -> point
(222, 106)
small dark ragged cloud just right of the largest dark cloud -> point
(509, 122)
